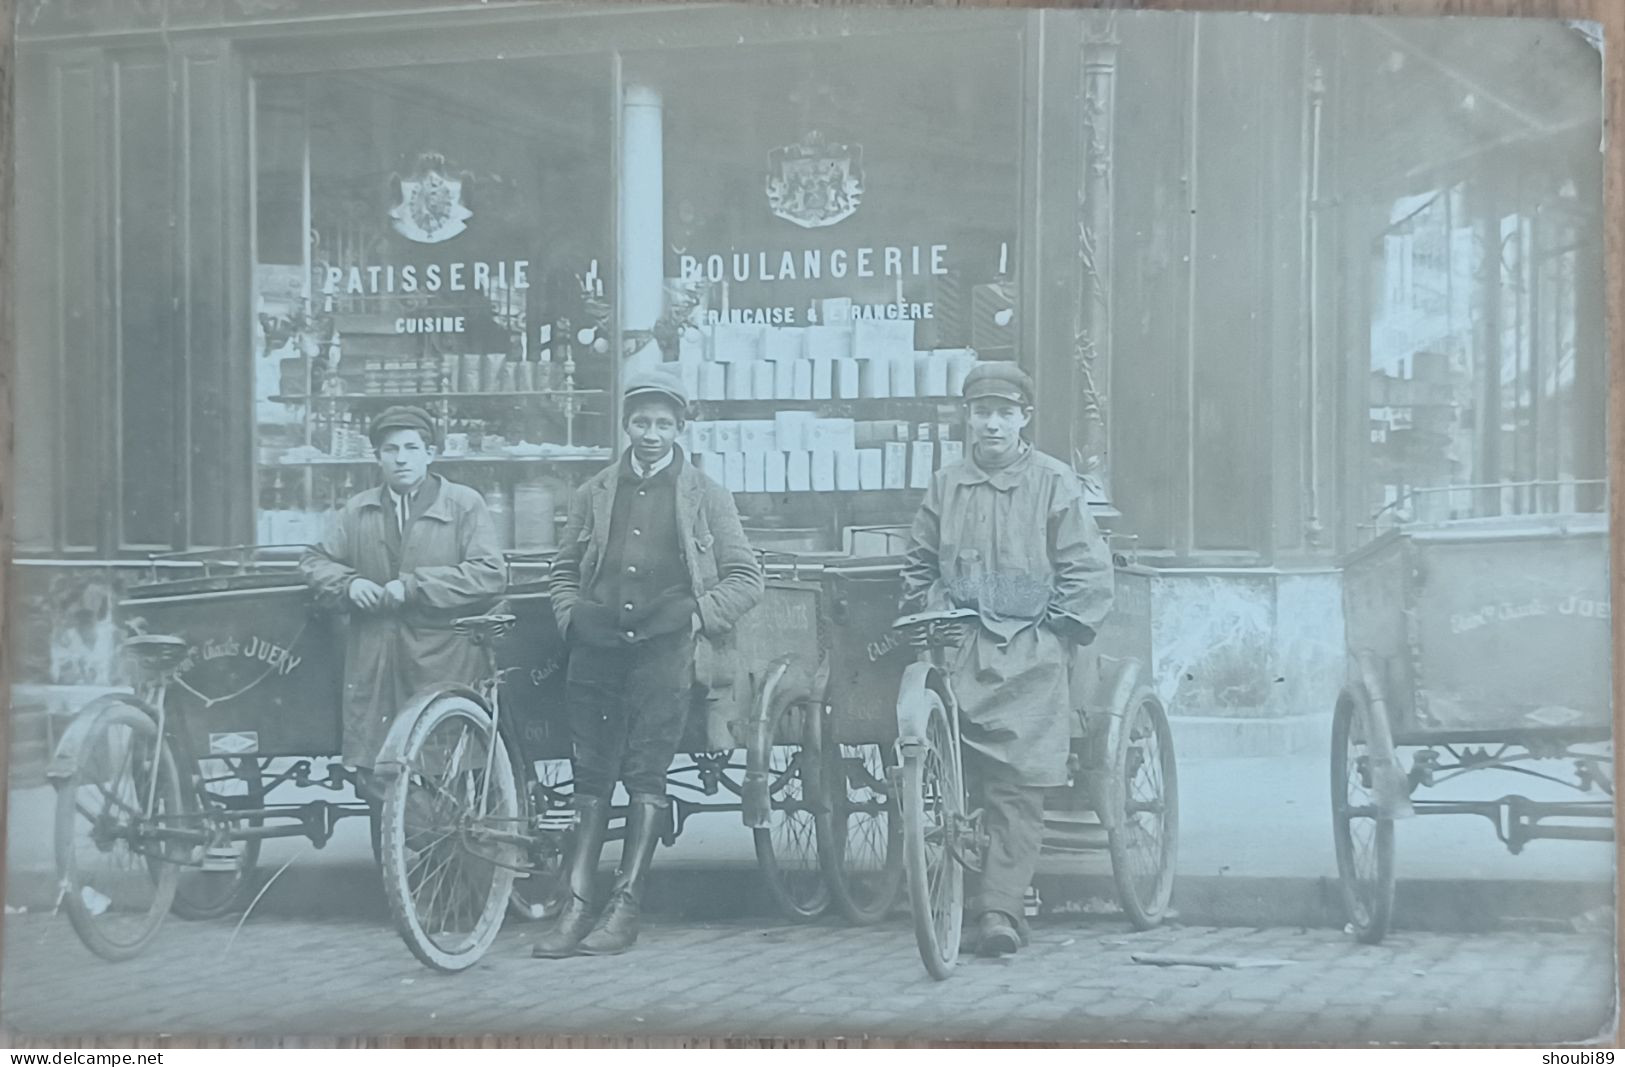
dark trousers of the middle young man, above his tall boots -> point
(628, 709)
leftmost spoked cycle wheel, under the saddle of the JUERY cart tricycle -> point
(118, 879)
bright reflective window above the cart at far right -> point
(1476, 400)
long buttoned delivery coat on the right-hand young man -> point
(1020, 546)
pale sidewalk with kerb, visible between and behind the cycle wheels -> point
(1255, 849)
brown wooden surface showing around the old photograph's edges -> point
(1610, 14)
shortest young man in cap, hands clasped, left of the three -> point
(405, 559)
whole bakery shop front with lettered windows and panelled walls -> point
(249, 227)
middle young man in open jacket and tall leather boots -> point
(652, 559)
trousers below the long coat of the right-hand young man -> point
(1013, 819)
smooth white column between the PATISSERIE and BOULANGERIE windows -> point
(643, 225)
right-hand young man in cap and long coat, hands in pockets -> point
(1007, 533)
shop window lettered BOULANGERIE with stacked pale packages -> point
(839, 249)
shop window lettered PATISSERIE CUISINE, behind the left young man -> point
(438, 238)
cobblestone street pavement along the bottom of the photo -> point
(1075, 985)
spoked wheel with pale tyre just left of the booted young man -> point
(448, 870)
